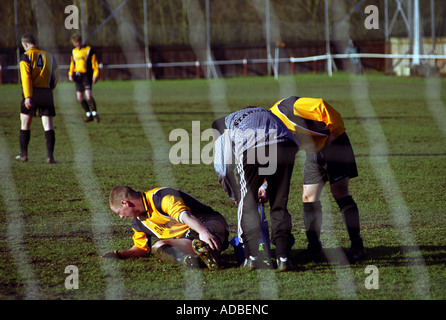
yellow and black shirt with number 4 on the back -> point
(38, 69)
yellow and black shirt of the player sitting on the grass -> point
(163, 216)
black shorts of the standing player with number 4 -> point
(43, 103)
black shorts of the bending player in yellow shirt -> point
(333, 163)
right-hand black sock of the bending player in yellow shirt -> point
(350, 216)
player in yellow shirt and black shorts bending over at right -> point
(320, 131)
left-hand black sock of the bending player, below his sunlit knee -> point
(313, 223)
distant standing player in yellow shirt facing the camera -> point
(84, 71)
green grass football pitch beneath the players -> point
(59, 220)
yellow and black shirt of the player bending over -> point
(311, 120)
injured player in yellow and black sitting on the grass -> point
(188, 230)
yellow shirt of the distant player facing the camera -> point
(84, 61)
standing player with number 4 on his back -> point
(38, 72)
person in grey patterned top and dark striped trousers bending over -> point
(244, 140)
